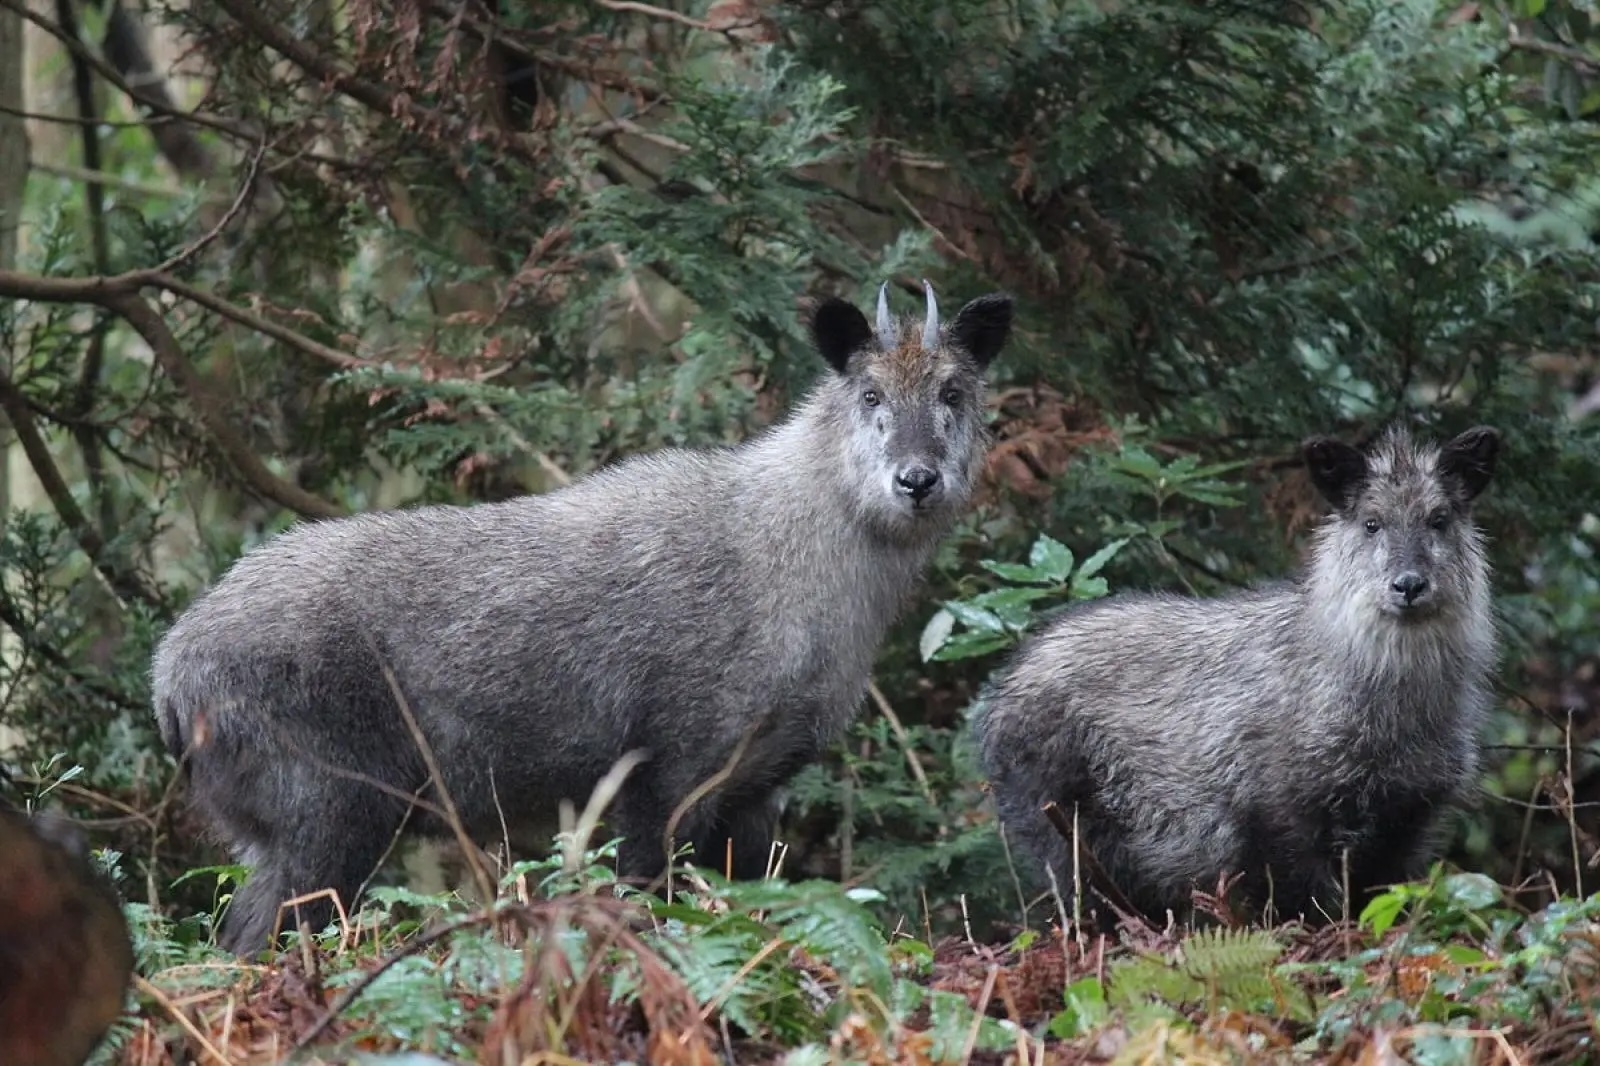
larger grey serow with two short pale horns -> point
(684, 604)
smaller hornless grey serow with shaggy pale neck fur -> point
(1305, 737)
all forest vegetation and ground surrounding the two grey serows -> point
(282, 260)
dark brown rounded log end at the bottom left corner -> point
(65, 950)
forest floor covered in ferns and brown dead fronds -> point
(1438, 972)
